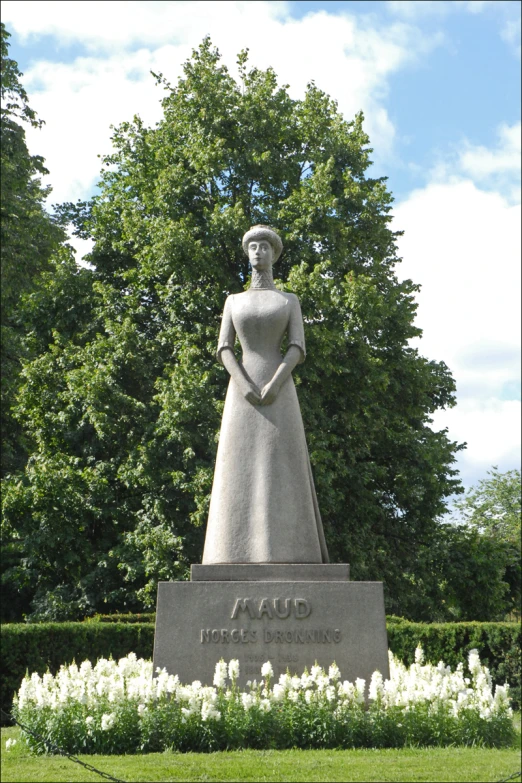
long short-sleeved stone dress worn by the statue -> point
(263, 507)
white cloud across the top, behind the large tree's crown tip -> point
(345, 55)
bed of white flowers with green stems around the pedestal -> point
(117, 707)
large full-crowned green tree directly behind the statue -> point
(124, 409)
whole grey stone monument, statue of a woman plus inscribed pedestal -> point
(265, 589)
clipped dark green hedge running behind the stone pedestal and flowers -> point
(47, 645)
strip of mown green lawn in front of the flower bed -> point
(434, 764)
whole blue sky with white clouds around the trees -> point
(439, 85)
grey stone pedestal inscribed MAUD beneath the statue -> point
(291, 615)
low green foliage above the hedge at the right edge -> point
(471, 571)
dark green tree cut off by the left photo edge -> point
(28, 237)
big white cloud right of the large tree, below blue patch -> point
(462, 244)
